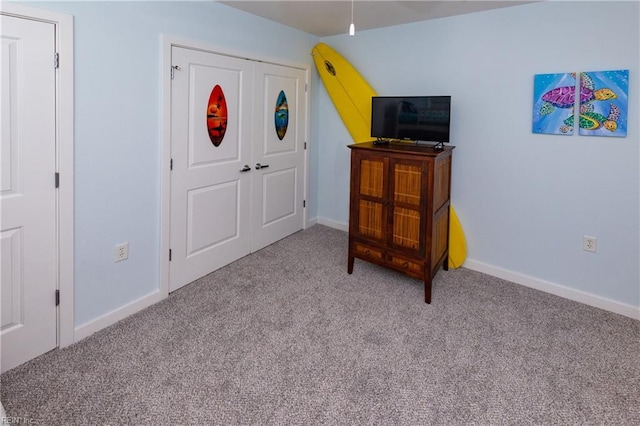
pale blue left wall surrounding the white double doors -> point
(118, 126)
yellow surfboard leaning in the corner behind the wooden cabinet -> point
(351, 95)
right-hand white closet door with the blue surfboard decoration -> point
(278, 153)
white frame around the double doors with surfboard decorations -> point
(168, 42)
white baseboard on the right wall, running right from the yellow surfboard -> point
(556, 289)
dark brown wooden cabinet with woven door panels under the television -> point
(399, 208)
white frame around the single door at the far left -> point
(63, 24)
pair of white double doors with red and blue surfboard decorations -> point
(237, 159)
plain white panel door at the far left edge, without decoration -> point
(28, 220)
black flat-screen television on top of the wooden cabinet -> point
(419, 118)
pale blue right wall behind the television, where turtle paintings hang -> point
(525, 200)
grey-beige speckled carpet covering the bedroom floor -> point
(286, 336)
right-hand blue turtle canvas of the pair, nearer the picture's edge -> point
(604, 103)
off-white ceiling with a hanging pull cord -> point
(330, 17)
